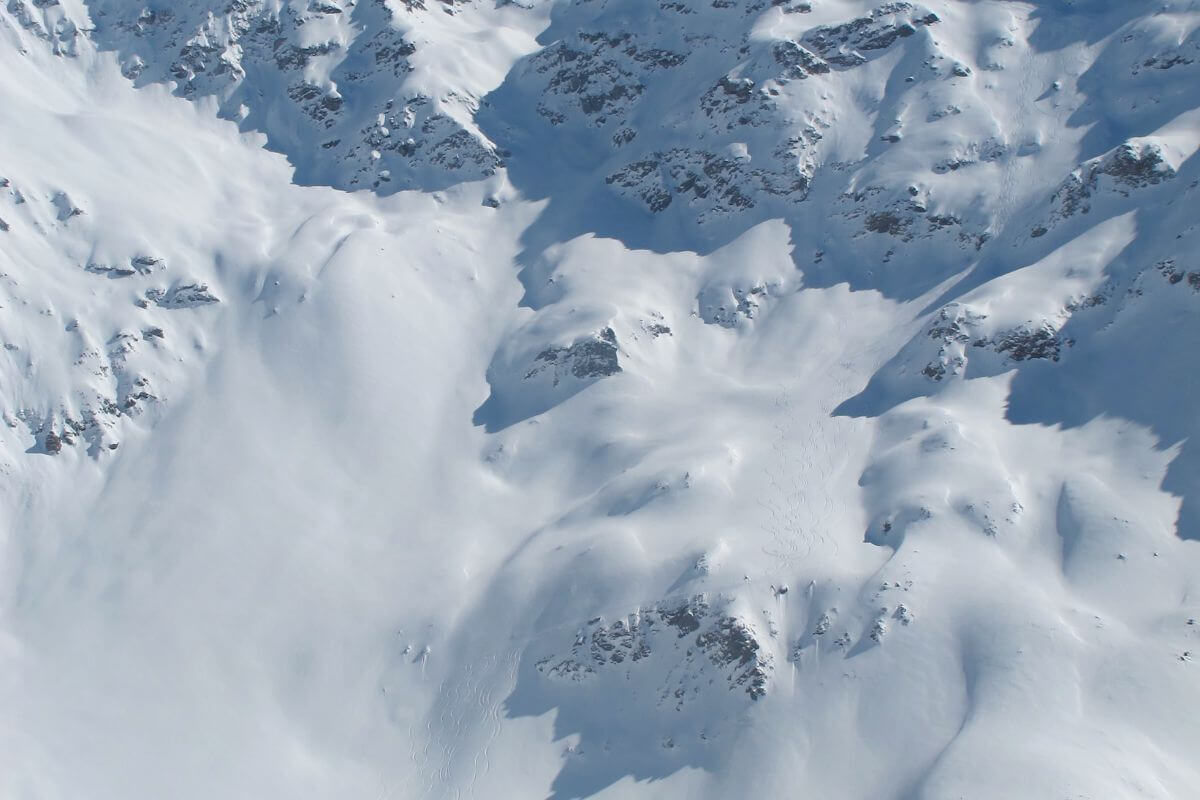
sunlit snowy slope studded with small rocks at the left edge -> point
(86, 354)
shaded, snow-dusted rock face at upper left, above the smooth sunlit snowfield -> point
(352, 110)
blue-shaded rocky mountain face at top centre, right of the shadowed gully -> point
(747, 141)
